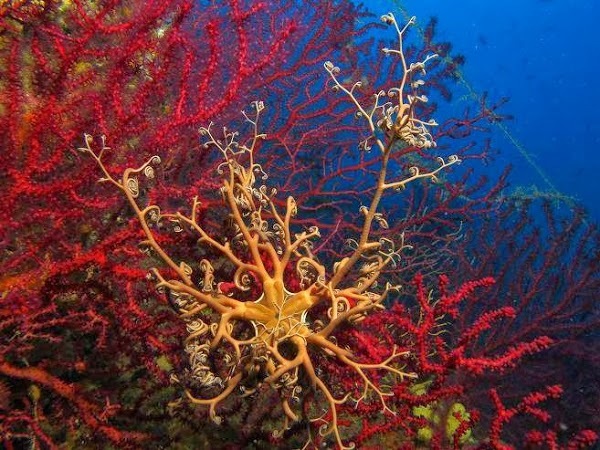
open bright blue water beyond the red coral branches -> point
(543, 55)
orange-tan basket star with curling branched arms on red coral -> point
(280, 337)
